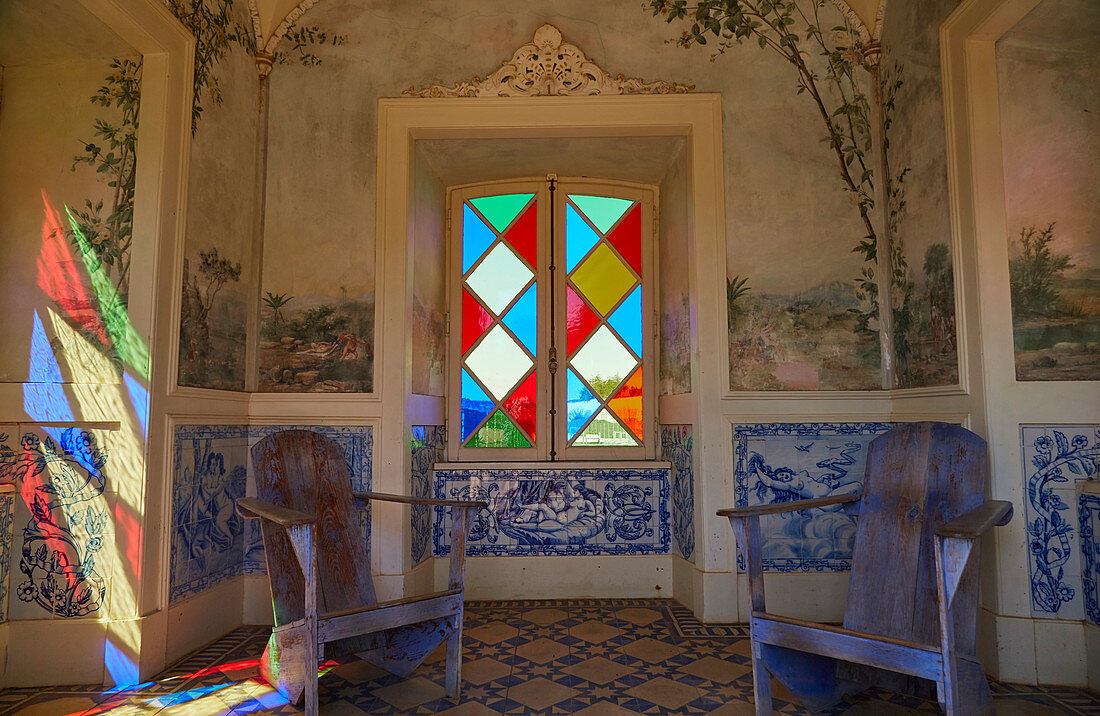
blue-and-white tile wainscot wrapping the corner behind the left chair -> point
(211, 544)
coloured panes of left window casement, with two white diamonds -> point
(500, 296)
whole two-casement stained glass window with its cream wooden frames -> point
(551, 358)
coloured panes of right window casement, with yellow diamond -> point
(603, 327)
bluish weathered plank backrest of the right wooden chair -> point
(919, 476)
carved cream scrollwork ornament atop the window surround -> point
(547, 65)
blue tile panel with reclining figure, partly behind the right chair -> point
(784, 462)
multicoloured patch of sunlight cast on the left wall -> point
(83, 487)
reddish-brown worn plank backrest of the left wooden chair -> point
(306, 471)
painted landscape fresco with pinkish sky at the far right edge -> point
(1048, 68)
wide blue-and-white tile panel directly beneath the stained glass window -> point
(559, 512)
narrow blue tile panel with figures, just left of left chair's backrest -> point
(207, 534)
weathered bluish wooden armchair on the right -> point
(914, 592)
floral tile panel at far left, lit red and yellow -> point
(62, 480)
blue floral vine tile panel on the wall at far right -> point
(1055, 459)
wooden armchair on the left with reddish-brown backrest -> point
(320, 568)
